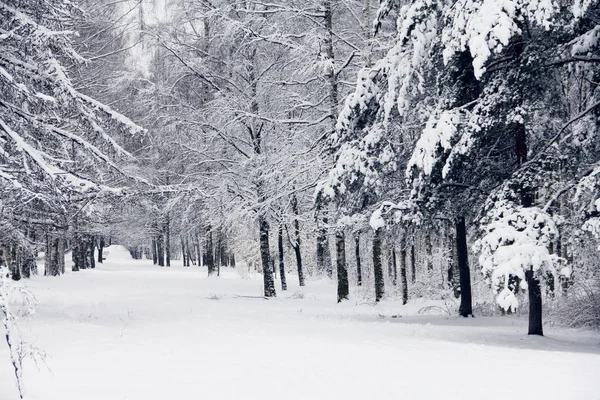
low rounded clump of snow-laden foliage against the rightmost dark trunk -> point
(517, 240)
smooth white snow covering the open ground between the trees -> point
(130, 330)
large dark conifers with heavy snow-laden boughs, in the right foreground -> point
(485, 115)
